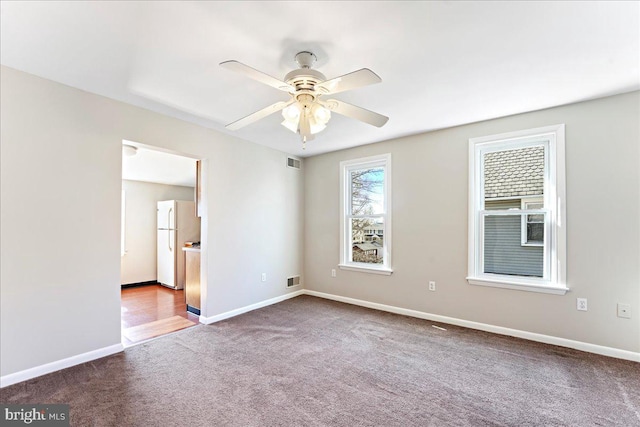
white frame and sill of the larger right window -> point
(554, 277)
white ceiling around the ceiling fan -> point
(442, 63)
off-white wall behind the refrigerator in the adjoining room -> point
(139, 264)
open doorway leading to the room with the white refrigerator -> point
(150, 309)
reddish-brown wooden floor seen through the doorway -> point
(152, 310)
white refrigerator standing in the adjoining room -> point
(177, 223)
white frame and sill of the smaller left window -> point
(346, 167)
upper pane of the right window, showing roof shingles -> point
(514, 173)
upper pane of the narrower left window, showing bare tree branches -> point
(367, 191)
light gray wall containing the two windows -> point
(430, 198)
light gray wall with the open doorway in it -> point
(61, 158)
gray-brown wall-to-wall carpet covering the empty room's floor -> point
(312, 362)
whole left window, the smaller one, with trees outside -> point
(365, 194)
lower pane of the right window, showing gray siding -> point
(503, 252)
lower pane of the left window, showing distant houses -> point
(367, 238)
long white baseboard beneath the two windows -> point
(547, 339)
